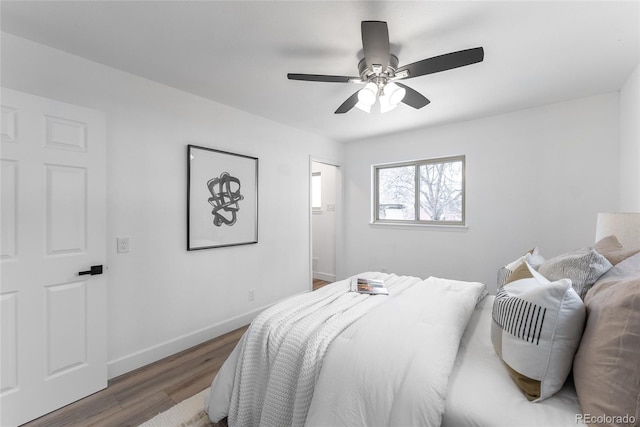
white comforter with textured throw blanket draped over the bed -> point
(388, 363)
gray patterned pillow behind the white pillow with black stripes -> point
(583, 266)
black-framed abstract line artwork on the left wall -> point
(222, 198)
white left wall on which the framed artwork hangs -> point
(161, 297)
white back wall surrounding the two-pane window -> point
(535, 177)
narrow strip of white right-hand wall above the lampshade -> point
(630, 143)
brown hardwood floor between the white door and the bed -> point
(137, 396)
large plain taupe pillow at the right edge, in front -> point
(606, 369)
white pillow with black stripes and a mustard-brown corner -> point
(536, 329)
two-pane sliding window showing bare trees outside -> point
(421, 192)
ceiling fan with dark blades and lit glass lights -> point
(379, 72)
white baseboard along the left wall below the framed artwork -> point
(152, 354)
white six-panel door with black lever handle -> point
(53, 226)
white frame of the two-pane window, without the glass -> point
(375, 214)
